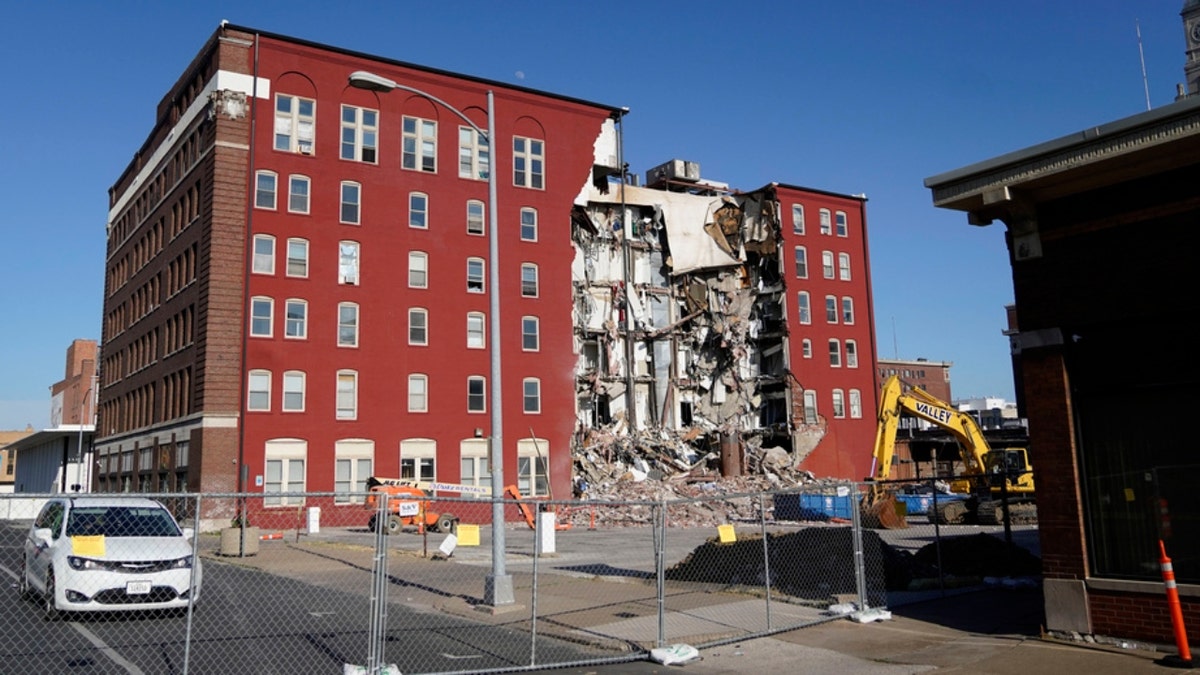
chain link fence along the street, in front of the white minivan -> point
(369, 583)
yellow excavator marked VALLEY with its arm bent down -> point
(991, 479)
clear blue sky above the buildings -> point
(849, 97)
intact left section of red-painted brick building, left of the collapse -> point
(296, 277)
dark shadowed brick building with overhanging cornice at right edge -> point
(1107, 354)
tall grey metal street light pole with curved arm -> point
(499, 587)
